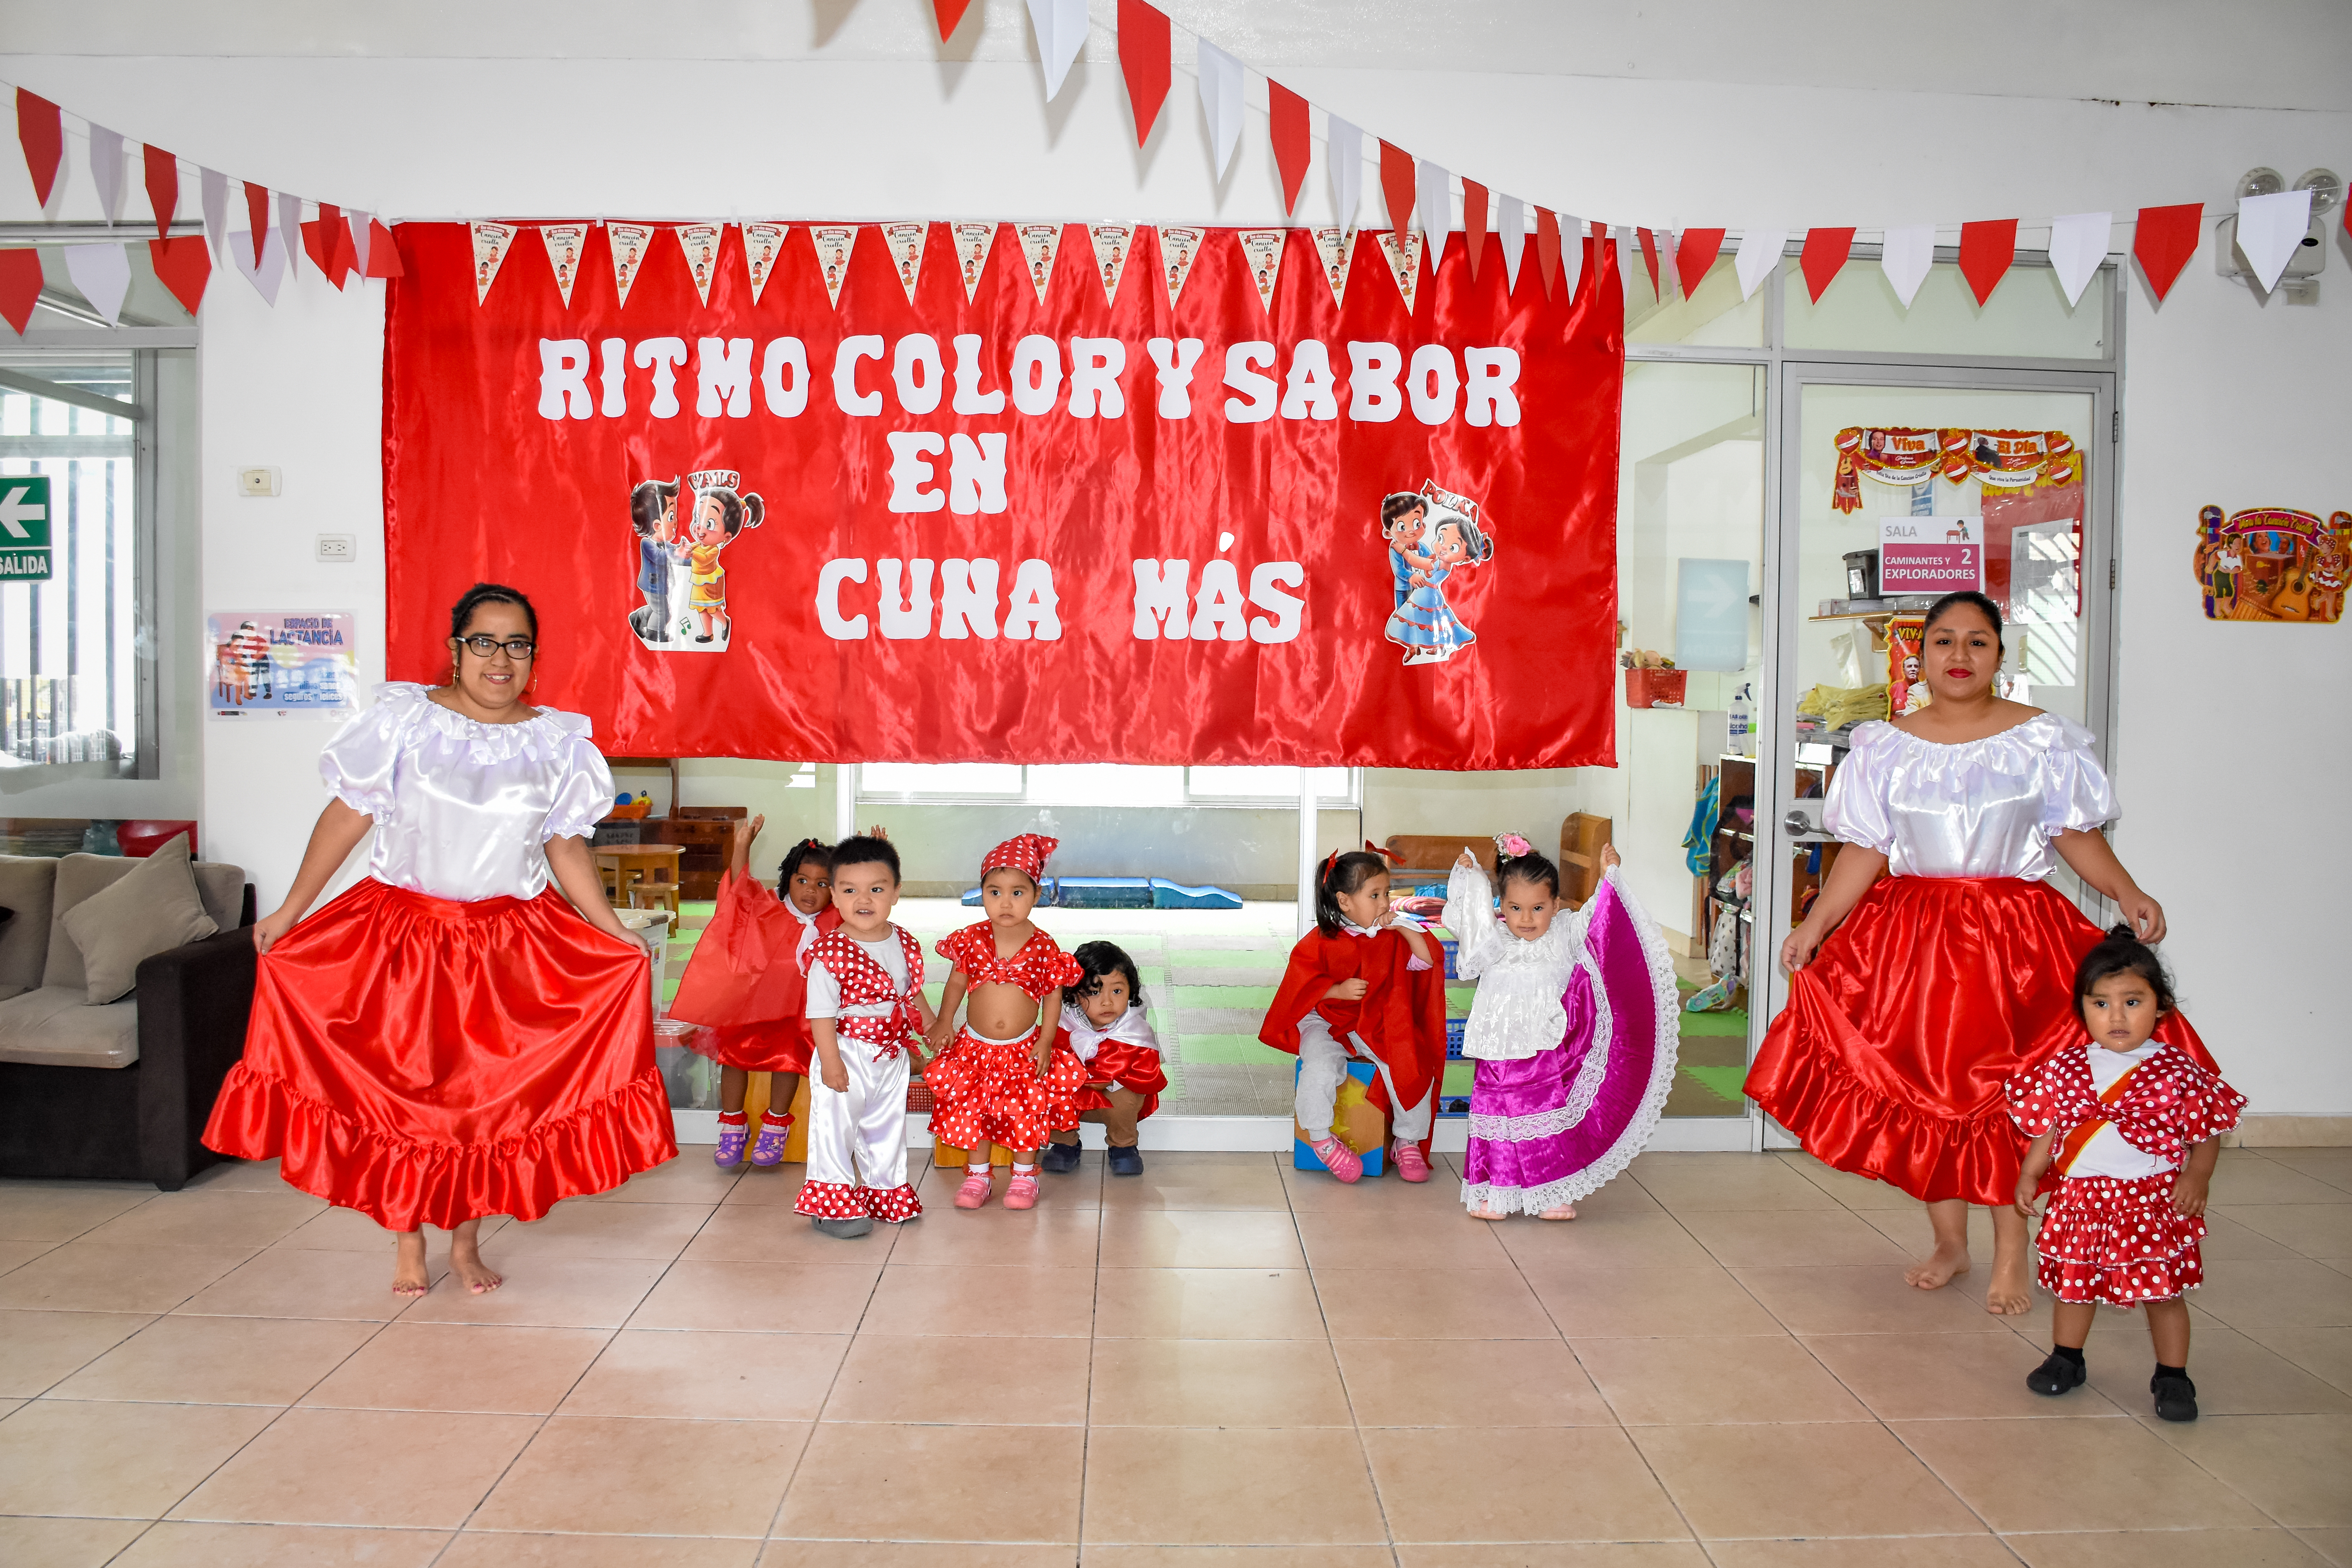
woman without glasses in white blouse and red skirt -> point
(1937, 958)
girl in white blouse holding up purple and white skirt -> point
(1572, 1031)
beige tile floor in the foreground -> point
(1716, 1365)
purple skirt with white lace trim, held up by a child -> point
(1556, 1127)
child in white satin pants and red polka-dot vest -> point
(867, 1014)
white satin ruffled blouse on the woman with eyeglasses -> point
(465, 808)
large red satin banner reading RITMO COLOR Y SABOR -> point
(1020, 502)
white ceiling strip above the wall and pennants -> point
(2243, 55)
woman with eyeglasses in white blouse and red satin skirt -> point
(469, 1031)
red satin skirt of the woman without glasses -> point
(1899, 1038)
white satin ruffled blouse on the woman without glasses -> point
(1972, 810)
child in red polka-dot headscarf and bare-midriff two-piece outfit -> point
(1005, 1078)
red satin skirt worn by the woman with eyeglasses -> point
(432, 1061)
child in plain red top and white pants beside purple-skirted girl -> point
(1365, 984)
